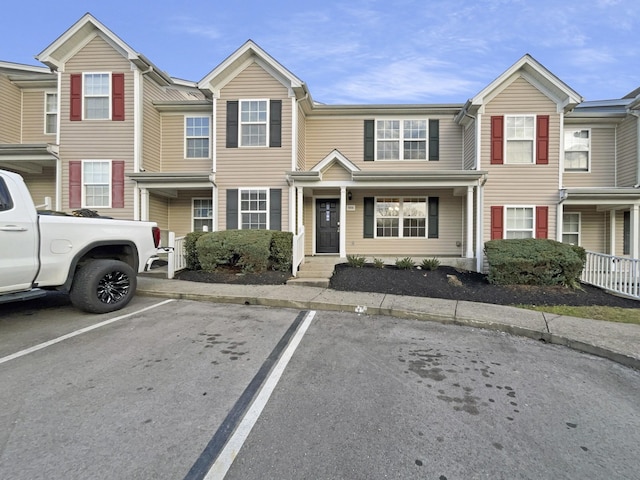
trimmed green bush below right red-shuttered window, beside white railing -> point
(534, 262)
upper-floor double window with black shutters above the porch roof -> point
(401, 139)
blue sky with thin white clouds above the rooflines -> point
(362, 51)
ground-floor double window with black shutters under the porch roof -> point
(401, 217)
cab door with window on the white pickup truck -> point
(18, 238)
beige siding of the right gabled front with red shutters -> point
(526, 185)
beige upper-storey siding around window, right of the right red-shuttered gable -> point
(602, 162)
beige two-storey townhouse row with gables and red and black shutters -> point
(100, 126)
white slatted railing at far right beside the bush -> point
(617, 274)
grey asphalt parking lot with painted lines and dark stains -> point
(181, 389)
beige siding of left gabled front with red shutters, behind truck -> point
(97, 139)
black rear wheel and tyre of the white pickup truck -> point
(103, 286)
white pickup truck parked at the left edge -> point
(95, 260)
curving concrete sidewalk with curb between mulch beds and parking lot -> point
(619, 342)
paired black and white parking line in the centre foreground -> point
(222, 449)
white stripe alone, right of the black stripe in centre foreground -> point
(222, 464)
